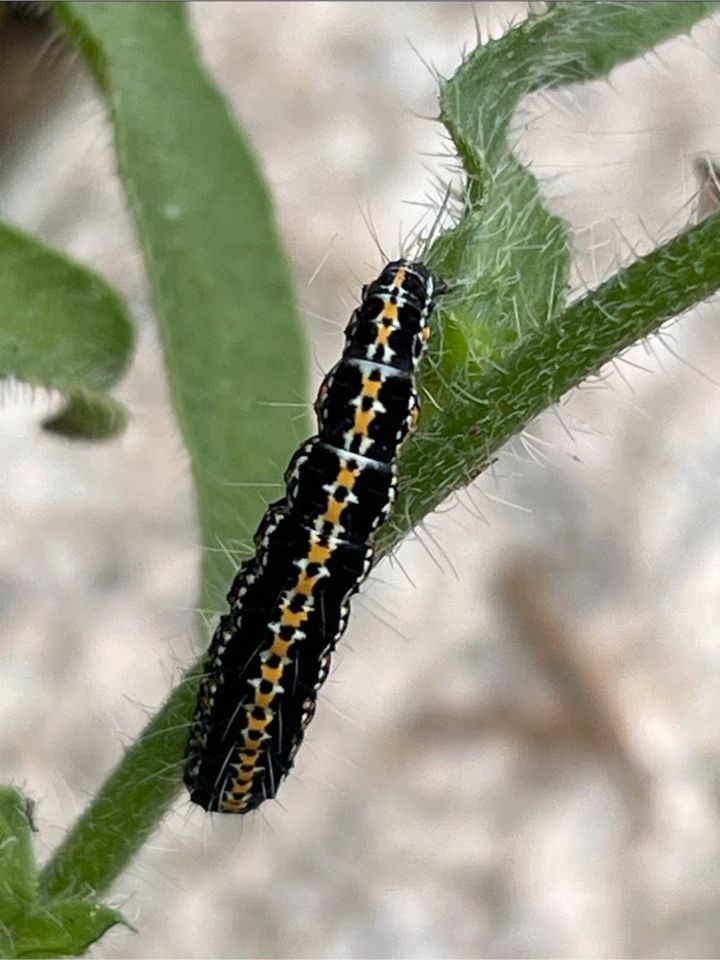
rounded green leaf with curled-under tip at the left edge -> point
(62, 327)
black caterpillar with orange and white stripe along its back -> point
(289, 604)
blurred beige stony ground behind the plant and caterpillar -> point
(518, 751)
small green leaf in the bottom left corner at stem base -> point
(30, 926)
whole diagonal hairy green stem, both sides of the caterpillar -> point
(506, 396)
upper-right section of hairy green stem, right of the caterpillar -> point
(519, 383)
